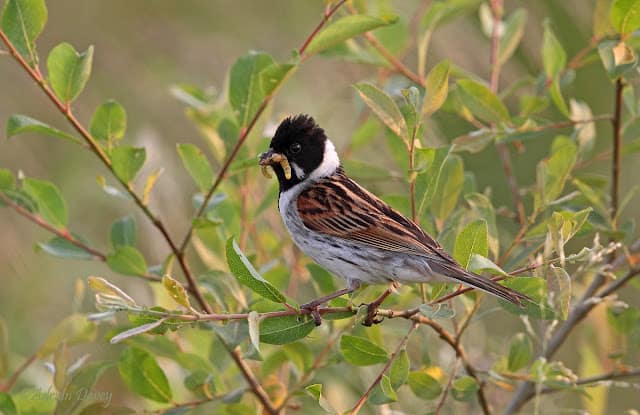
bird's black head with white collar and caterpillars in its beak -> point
(309, 153)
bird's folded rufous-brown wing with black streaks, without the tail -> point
(340, 207)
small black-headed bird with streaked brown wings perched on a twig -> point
(348, 230)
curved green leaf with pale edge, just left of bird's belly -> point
(247, 275)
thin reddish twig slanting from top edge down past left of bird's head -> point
(244, 132)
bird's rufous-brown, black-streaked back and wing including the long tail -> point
(338, 206)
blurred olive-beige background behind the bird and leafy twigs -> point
(142, 48)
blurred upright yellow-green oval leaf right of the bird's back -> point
(449, 188)
